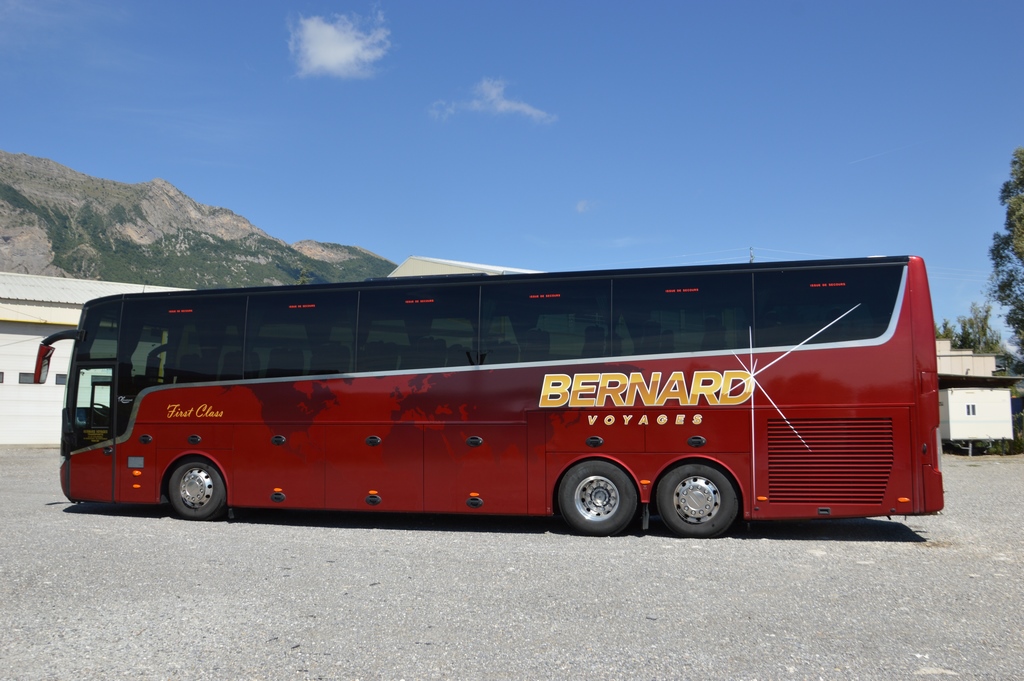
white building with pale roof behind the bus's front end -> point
(31, 309)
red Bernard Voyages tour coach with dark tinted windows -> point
(713, 394)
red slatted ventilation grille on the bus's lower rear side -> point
(830, 461)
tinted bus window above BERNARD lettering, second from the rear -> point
(682, 313)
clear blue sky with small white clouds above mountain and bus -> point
(546, 136)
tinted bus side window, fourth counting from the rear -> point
(417, 328)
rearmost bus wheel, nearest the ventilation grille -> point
(698, 501)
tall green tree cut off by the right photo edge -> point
(1007, 285)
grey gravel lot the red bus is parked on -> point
(95, 591)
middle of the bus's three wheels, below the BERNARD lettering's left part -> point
(598, 498)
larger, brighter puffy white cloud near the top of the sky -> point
(342, 49)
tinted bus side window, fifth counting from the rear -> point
(301, 333)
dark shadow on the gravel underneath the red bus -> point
(840, 530)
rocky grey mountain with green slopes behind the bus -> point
(60, 223)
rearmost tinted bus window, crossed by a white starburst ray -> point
(824, 307)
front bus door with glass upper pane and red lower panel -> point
(90, 433)
